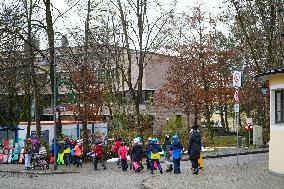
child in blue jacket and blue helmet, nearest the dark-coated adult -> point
(176, 149)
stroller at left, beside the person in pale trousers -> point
(40, 159)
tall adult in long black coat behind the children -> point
(194, 148)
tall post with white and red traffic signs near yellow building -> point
(237, 83)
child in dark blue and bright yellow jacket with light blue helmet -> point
(155, 156)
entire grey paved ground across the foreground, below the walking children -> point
(219, 173)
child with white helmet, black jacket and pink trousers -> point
(136, 155)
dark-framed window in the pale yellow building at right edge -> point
(279, 106)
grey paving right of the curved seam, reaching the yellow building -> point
(252, 172)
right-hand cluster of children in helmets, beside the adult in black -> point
(172, 150)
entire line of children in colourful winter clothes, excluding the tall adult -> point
(71, 151)
